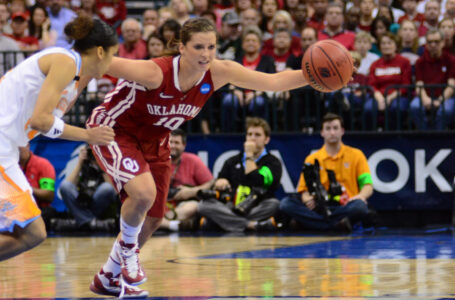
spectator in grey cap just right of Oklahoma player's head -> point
(229, 41)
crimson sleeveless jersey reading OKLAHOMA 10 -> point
(149, 115)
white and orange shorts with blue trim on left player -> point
(17, 206)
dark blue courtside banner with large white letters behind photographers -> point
(410, 171)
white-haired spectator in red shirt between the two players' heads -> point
(133, 46)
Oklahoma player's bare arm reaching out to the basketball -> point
(225, 71)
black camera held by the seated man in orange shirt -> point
(313, 181)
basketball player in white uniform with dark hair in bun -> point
(33, 98)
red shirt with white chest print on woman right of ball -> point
(384, 73)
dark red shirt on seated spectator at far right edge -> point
(435, 70)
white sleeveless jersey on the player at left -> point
(19, 89)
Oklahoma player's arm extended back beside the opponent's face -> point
(145, 72)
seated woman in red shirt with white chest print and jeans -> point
(390, 69)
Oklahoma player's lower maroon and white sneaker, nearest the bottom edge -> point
(108, 285)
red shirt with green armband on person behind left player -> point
(40, 174)
